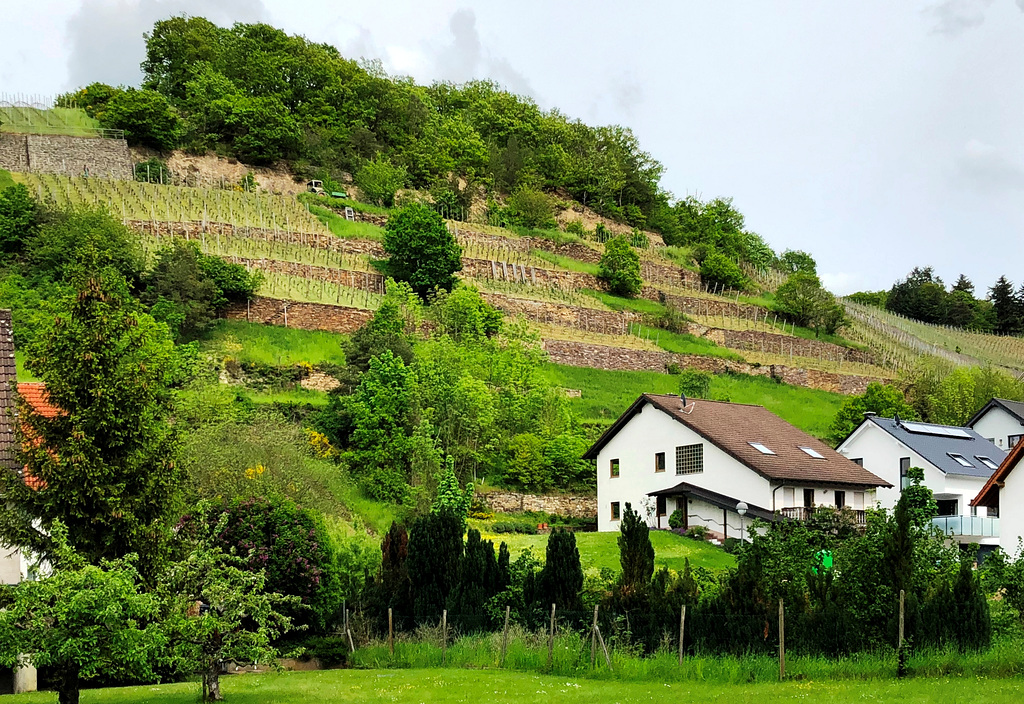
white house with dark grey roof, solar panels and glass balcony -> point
(957, 462)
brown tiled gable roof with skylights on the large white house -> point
(732, 427)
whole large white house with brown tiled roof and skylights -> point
(706, 458)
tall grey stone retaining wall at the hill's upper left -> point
(68, 156)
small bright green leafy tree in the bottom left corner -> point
(82, 622)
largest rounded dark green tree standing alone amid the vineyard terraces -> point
(421, 250)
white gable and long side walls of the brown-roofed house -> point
(635, 449)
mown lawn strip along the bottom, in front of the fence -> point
(444, 686)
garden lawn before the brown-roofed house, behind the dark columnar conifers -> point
(602, 550)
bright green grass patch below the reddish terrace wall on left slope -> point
(250, 342)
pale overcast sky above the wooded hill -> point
(878, 135)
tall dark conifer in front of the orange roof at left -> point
(107, 461)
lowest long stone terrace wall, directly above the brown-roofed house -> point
(623, 360)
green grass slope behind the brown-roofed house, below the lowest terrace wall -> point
(608, 394)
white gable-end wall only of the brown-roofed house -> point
(635, 446)
